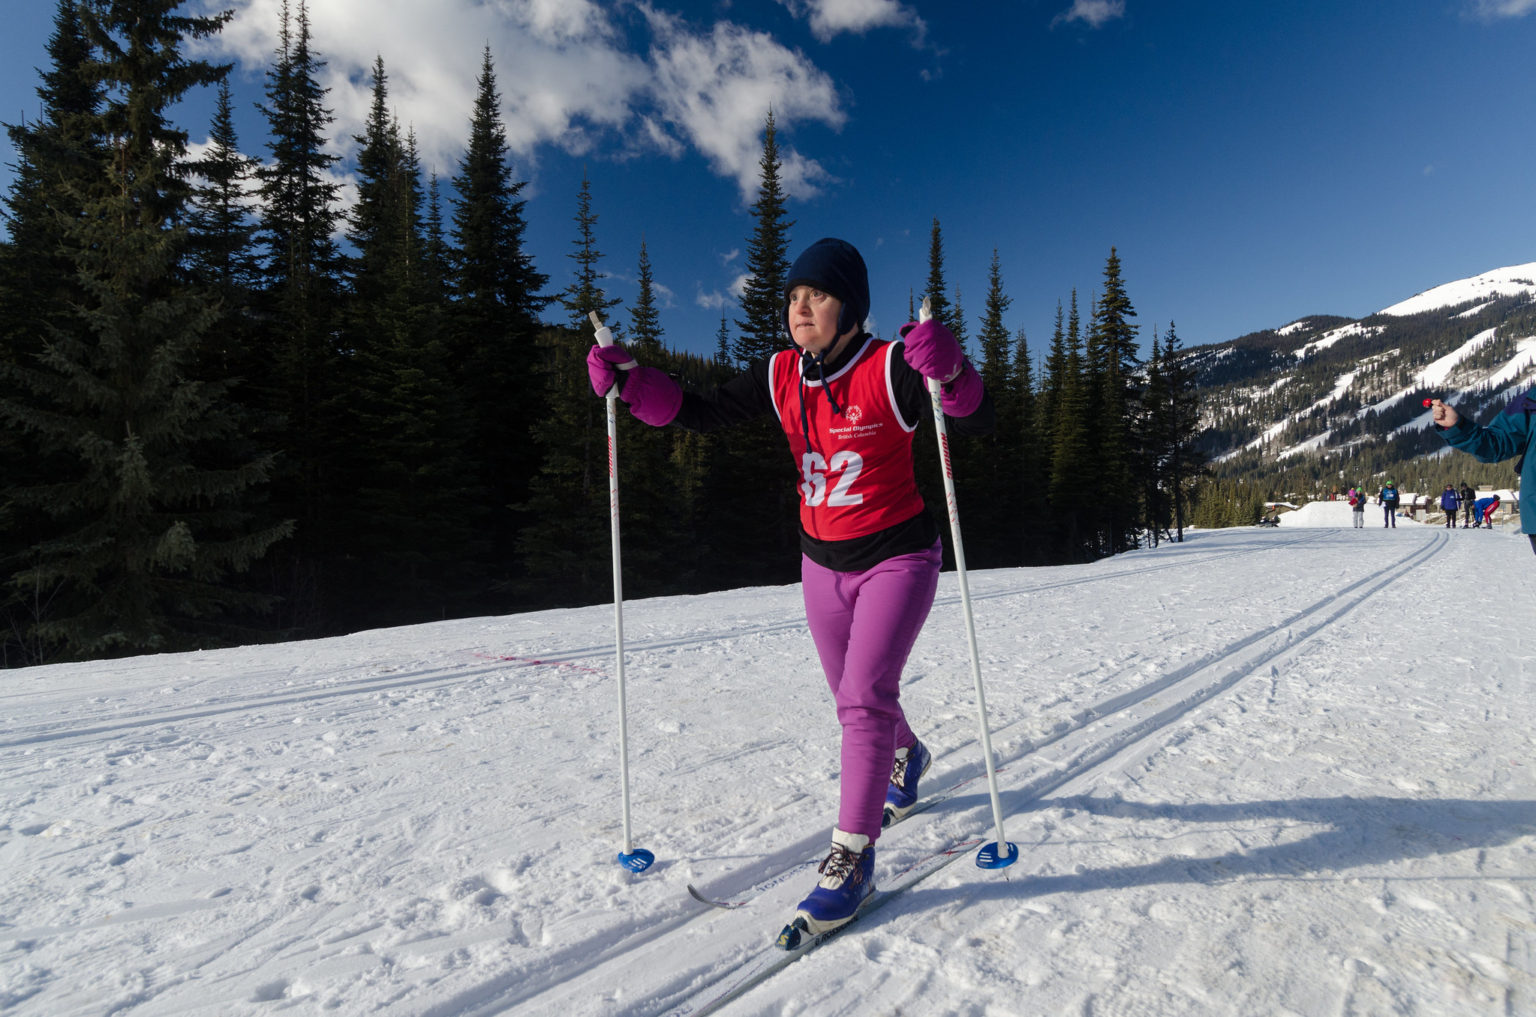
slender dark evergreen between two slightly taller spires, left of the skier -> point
(412, 522)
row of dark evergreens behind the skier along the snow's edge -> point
(233, 409)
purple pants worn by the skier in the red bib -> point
(864, 626)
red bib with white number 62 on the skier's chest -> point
(856, 468)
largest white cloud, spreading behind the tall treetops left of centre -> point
(566, 75)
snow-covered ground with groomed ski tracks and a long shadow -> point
(1268, 772)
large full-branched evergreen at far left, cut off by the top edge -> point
(151, 523)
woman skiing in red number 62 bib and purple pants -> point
(870, 551)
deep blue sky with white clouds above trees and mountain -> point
(1253, 162)
